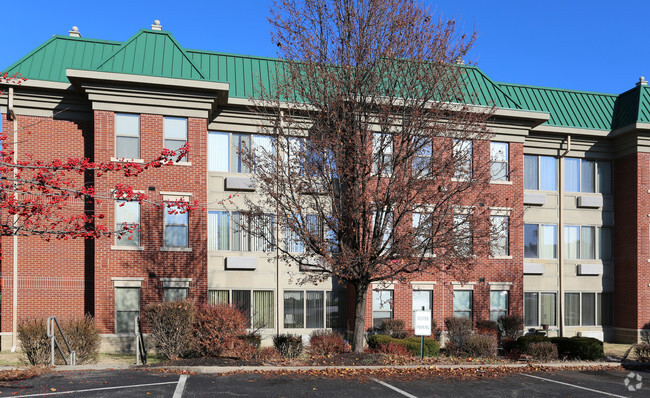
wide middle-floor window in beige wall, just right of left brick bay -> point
(238, 237)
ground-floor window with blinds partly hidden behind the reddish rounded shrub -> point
(256, 304)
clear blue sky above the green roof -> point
(595, 46)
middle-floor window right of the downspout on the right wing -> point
(587, 242)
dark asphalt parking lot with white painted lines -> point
(138, 383)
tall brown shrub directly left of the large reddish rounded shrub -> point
(171, 327)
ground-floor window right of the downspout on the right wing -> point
(588, 309)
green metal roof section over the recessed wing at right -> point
(568, 108)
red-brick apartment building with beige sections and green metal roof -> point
(578, 161)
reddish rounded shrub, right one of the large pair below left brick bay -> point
(217, 330)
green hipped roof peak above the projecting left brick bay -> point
(152, 53)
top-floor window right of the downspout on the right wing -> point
(583, 175)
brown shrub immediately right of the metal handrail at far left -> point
(83, 336)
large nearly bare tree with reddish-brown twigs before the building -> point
(378, 169)
